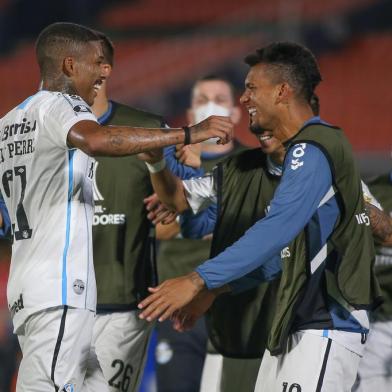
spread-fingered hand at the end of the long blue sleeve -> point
(170, 296)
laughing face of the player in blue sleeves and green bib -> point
(259, 98)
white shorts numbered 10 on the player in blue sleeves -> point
(311, 363)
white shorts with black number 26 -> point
(118, 352)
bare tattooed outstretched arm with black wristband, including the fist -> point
(97, 140)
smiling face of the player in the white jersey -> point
(88, 74)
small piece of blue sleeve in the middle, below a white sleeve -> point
(198, 225)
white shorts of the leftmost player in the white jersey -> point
(55, 344)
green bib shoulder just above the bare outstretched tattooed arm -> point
(133, 116)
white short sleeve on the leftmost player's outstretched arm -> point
(64, 112)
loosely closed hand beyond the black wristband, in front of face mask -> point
(213, 126)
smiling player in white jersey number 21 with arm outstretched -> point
(46, 180)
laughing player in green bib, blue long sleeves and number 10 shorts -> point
(319, 330)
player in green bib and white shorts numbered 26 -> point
(123, 247)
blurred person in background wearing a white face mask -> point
(180, 357)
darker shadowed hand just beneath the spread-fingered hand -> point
(185, 318)
